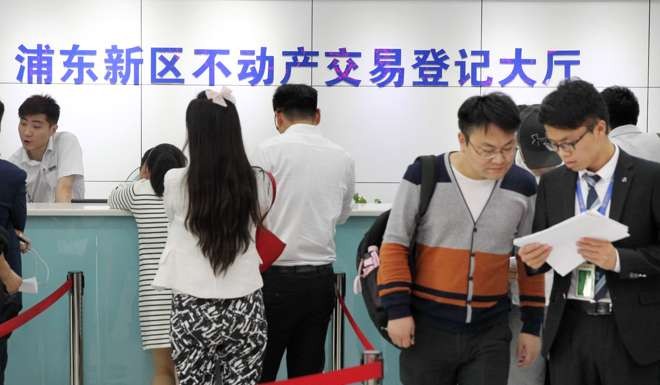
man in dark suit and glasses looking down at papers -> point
(603, 321)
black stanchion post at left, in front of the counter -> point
(75, 327)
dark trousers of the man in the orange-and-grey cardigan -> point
(439, 357)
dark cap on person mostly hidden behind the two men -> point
(531, 139)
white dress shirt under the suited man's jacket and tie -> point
(606, 174)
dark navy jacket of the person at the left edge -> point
(12, 216)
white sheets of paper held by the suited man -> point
(563, 238)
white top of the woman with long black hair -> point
(184, 268)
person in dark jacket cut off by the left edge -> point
(12, 220)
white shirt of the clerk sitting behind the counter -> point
(63, 157)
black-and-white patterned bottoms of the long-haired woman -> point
(218, 337)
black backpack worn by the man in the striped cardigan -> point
(374, 237)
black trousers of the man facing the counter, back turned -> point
(299, 305)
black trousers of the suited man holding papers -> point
(588, 350)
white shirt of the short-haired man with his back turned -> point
(315, 184)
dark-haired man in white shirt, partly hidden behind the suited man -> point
(623, 109)
